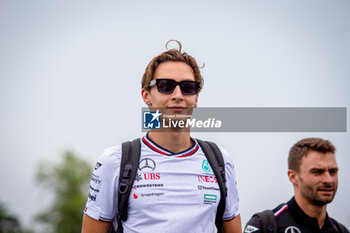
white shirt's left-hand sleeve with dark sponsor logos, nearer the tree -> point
(103, 192)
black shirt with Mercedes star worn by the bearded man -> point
(291, 219)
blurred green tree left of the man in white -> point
(68, 182)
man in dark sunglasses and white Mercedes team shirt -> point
(175, 189)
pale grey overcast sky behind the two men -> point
(70, 76)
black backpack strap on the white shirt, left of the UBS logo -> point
(128, 169)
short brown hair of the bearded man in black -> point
(302, 147)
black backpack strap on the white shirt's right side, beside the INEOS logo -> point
(216, 161)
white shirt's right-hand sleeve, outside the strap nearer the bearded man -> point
(232, 200)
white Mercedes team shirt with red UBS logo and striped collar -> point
(172, 192)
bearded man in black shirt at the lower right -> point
(313, 171)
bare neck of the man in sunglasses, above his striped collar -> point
(172, 141)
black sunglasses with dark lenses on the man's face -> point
(167, 86)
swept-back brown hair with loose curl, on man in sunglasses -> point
(172, 55)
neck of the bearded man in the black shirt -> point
(314, 211)
